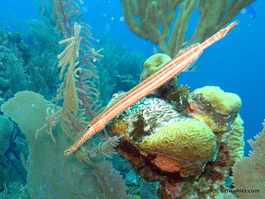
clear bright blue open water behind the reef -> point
(236, 63)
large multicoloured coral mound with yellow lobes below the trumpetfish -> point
(186, 155)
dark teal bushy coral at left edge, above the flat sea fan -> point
(13, 57)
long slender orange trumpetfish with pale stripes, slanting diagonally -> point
(177, 65)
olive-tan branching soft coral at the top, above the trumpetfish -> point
(153, 20)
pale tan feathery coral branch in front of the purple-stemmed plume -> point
(69, 111)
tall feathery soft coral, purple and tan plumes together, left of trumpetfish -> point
(78, 91)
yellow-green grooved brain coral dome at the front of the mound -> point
(187, 141)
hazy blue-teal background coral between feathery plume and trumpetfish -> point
(118, 70)
